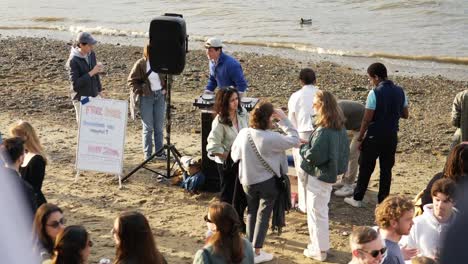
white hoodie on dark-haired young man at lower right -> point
(427, 232)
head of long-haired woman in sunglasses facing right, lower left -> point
(48, 222)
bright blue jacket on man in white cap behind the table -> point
(226, 72)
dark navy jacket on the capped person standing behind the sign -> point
(82, 84)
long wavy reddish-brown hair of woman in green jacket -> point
(329, 115)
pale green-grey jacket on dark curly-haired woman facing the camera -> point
(222, 136)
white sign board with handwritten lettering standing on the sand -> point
(101, 136)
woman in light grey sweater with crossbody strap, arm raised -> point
(260, 151)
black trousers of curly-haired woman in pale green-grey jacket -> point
(232, 191)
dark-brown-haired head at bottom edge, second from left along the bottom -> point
(72, 246)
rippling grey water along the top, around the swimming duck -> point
(434, 30)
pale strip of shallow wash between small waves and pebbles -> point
(396, 67)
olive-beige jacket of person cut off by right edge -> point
(460, 113)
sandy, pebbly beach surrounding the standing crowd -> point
(35, 88)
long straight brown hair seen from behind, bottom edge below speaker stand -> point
(134, 240)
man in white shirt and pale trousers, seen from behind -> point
(301, 112)
